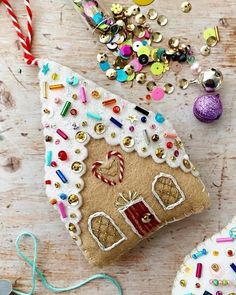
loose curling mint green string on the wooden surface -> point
(36, 271)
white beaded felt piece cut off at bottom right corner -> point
(210, 269)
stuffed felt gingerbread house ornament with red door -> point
(115, 172)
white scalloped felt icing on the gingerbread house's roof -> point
(70, 125)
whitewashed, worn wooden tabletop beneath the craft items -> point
(61, 36)
